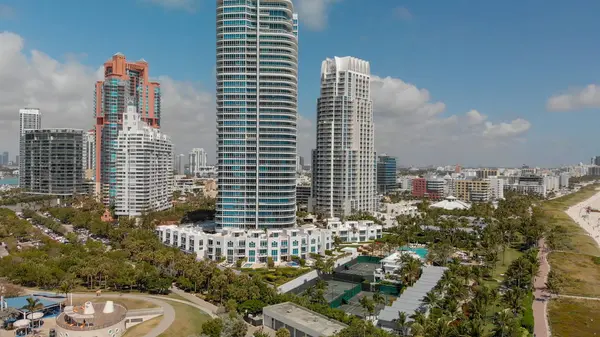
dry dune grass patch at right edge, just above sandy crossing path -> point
(580, 271)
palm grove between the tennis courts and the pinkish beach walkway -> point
(467, 301)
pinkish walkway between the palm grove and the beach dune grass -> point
(540, 304)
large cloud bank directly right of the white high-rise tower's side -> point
(417, 129)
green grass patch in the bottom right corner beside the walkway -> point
(572, 317)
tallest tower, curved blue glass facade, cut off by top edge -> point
(257, 84)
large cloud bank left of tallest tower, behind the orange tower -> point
(64, 93)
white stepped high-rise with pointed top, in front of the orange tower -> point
(144, 167)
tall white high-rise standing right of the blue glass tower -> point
(344, 162)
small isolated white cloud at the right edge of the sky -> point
(576, 99)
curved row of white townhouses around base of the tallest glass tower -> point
(256, 245)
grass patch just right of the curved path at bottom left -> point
(188, 321)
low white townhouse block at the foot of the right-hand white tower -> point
(354, 231)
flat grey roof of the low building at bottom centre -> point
(305, 318)
